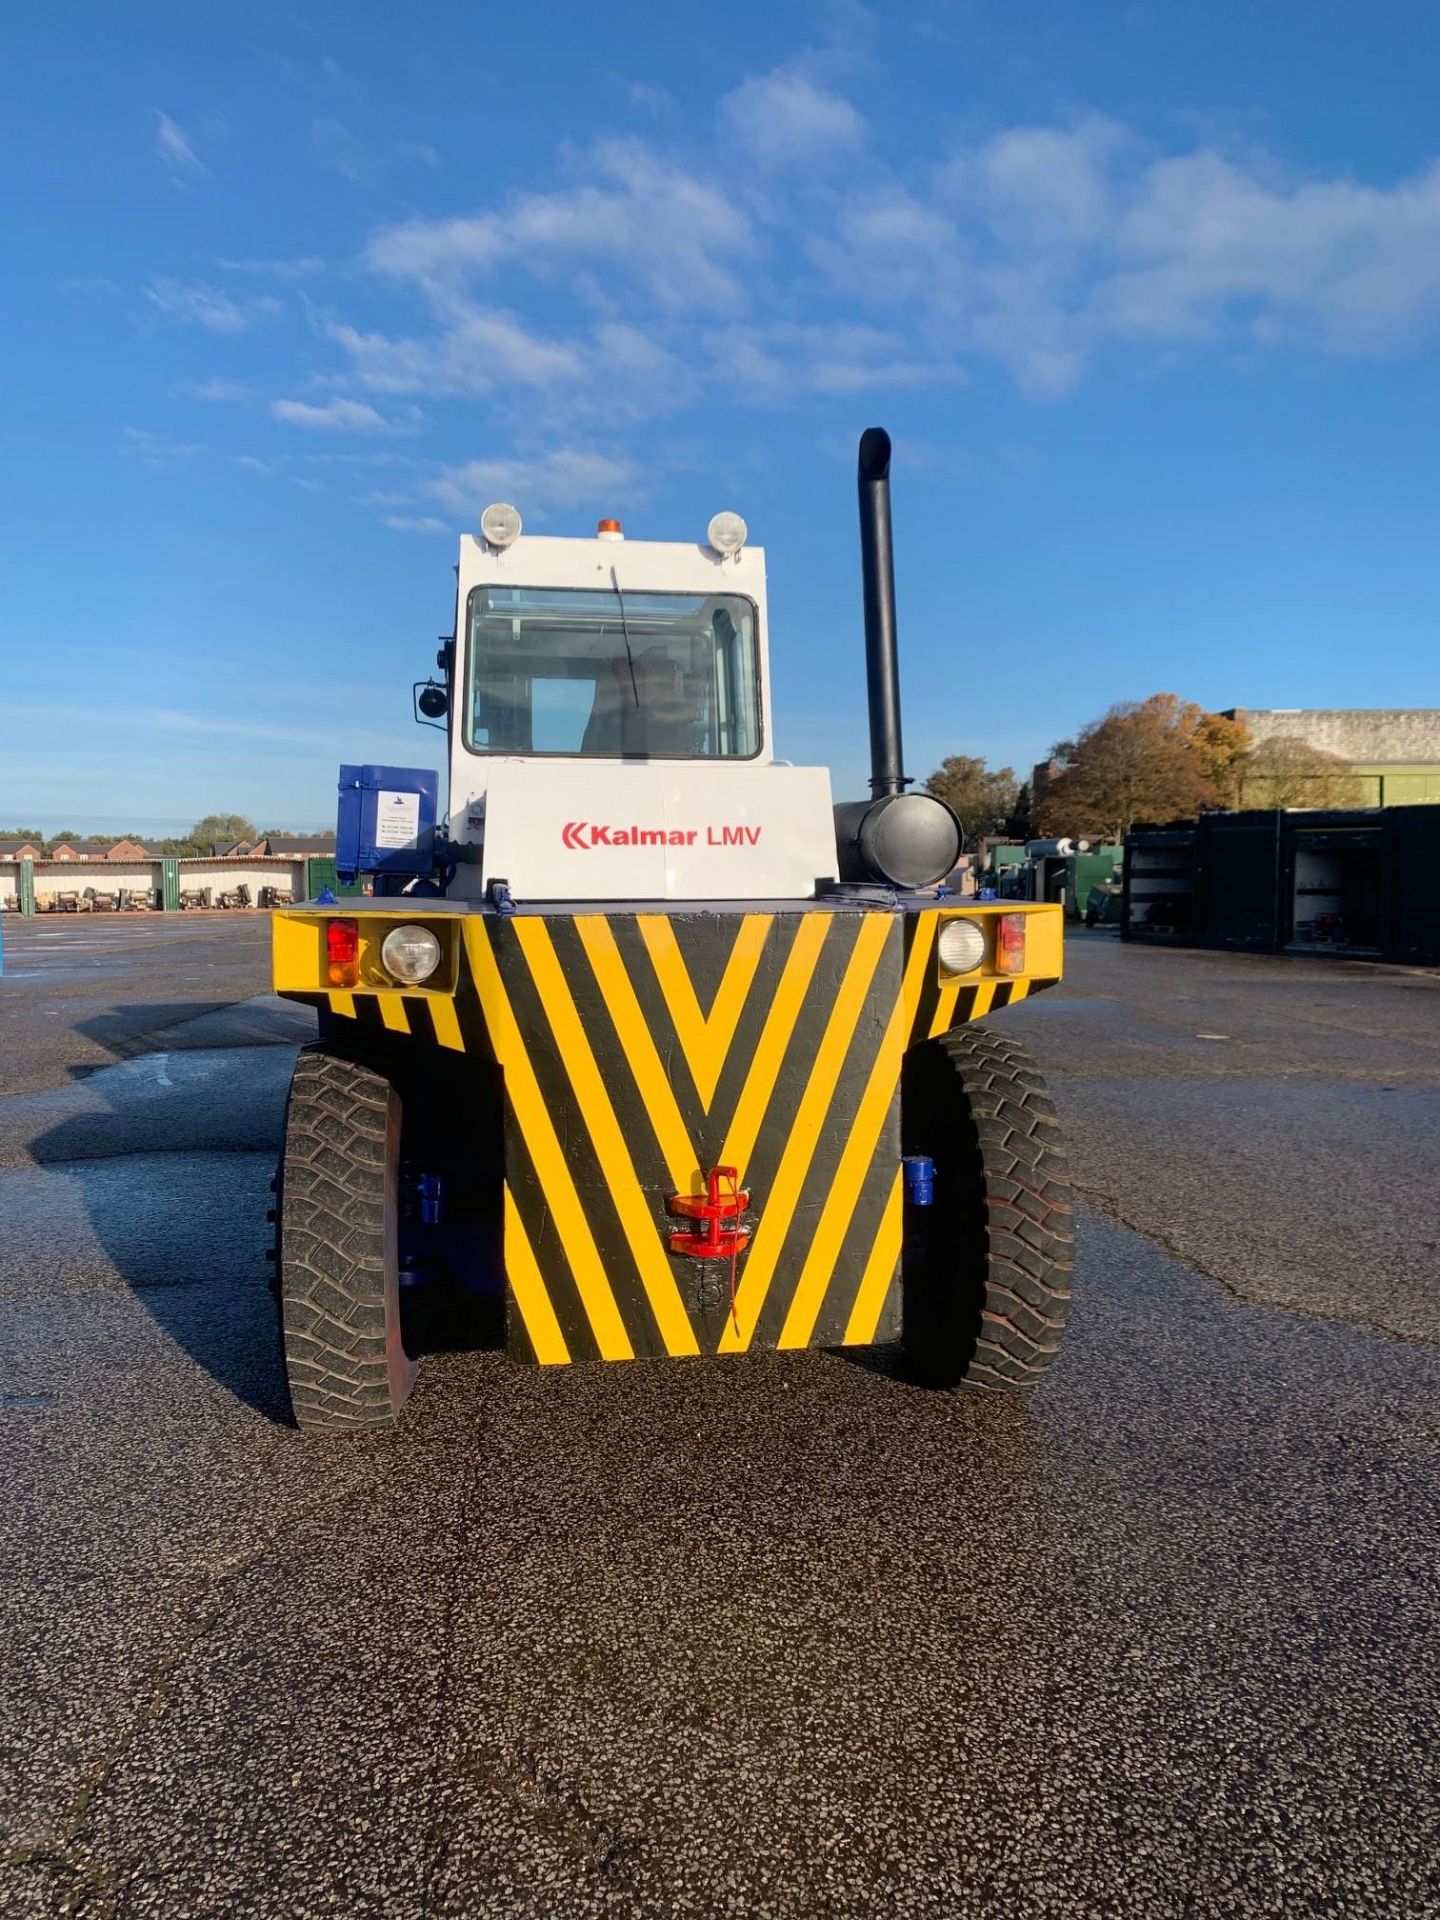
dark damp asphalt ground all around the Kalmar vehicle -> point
(771, 1637)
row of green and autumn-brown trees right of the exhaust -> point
(1143, 761)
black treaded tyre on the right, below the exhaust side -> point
(988, 1266)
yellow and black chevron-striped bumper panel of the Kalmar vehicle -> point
(638, 1053)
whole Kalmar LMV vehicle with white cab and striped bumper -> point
(644, 1042)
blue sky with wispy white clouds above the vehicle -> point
(1149, 299)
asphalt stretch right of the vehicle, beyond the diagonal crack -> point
(1276, 1122)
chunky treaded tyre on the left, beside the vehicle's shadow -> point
(339, 1228)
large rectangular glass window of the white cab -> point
(610, 673)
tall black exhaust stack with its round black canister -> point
(903, 840)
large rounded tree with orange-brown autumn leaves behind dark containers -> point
(1141, 761)
